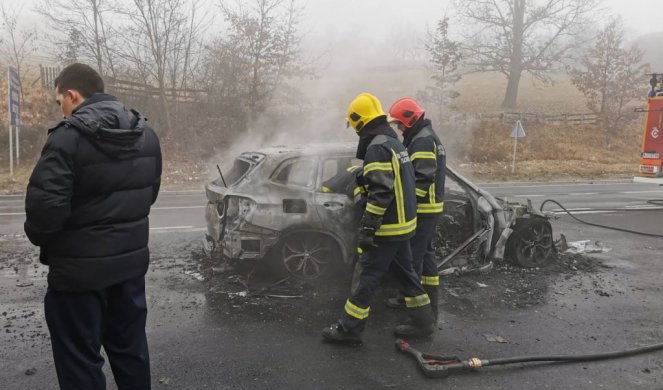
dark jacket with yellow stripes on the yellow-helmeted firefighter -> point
(388, 179)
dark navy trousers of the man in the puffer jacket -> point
(81, 323)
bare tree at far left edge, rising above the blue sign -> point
(18, 44)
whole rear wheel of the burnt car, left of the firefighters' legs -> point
(306, 255)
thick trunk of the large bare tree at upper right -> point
(516, 60)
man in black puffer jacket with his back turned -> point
(87, 207)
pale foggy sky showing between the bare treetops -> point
(329, 25)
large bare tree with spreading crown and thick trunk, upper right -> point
(522, 36)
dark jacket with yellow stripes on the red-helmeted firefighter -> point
(429, 161)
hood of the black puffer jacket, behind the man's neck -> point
(111, 127)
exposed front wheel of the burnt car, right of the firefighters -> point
(531, 243)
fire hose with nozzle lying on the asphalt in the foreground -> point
(438, 366)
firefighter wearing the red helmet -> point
(429, 161)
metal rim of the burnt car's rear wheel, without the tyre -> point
(306, 256)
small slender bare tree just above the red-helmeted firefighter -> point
(445, 56)
